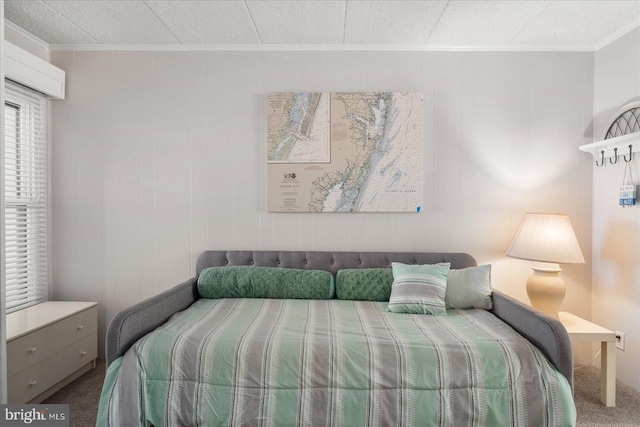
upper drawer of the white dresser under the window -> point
(30, 349)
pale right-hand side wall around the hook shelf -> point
(616, 230)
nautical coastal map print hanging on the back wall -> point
(344, 152)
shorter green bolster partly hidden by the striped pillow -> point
(364, 284)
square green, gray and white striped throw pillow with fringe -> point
(418, 289)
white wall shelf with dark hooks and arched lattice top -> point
(624, 132)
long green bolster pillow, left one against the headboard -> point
(242, 281)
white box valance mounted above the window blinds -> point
(28, 70)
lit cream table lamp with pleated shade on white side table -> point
(549, 240)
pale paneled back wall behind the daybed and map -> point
(158, 156)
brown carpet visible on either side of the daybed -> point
(83, 395)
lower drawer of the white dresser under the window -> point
(26, 385)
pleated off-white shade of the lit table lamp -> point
(546, 238)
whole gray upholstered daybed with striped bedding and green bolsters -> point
(331, 352)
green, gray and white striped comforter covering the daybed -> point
(274, 362)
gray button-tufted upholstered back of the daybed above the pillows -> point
(330, 261)
